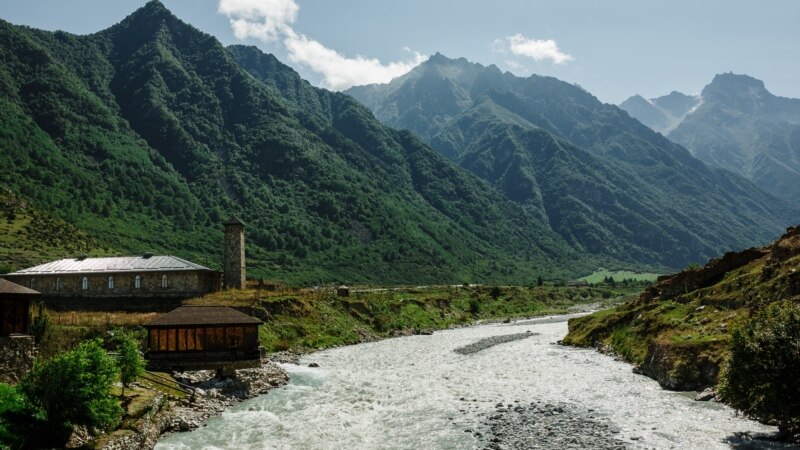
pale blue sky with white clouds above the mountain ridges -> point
(613, 48)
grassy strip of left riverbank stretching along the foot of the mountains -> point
(317, 318)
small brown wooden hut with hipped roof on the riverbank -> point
(203, 338)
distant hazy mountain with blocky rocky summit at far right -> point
(742, 127)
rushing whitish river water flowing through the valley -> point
(416, 393)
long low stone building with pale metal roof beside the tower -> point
(147, 276)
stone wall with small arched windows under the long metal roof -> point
(178, 284)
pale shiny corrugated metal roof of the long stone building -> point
(112, 264)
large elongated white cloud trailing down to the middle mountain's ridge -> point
(271, 20)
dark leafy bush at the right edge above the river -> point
(760, 376)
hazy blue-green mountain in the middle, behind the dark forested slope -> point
(603, 181)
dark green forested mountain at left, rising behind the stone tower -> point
(147, 135)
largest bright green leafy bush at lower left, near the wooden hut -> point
(73, 388)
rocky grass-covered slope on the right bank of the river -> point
(678, 331)
